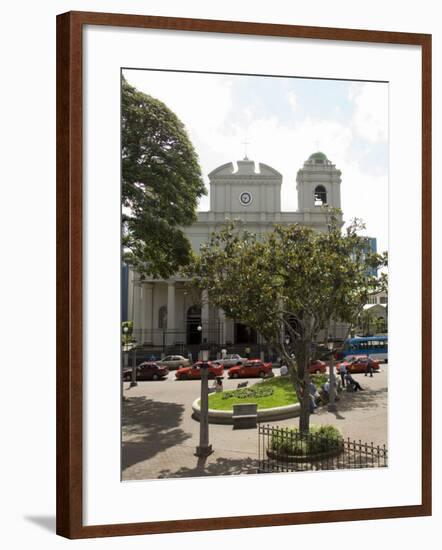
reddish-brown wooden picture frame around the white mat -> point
(70, 270)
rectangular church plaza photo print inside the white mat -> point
(254, 274)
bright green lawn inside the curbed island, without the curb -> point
(282, 394)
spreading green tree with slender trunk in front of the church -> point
(291, 281)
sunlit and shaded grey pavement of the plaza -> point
(159, 434)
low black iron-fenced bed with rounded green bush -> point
(324, 448)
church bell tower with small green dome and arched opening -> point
(318, 183)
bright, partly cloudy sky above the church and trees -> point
(285, 120)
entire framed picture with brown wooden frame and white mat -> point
(230, 319)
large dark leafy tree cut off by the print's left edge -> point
(161, 185)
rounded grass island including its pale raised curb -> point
(276, 400)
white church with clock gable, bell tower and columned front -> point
(162, 310)
